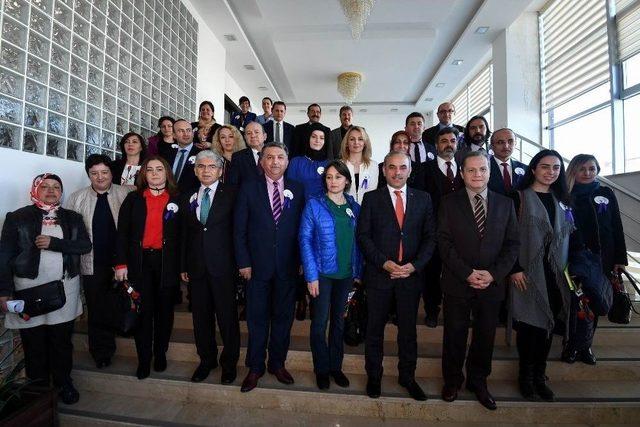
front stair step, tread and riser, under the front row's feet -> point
(618, 401)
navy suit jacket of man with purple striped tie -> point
(270, 249)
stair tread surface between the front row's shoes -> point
(581, 390)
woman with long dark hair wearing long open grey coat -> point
(541, 300)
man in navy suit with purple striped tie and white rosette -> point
(267, 216)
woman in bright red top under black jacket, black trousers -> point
(147, 254)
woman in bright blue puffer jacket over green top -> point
(331, 262)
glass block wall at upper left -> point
(75, 75)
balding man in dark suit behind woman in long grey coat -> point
(506, 173)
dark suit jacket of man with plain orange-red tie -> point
(379, 234)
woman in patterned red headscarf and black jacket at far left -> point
(41, 244)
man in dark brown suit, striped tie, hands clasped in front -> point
(478, 242)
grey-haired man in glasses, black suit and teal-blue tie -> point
(208, 264)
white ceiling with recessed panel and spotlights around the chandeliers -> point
(298, 47)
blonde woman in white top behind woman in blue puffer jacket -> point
(356, 154)
